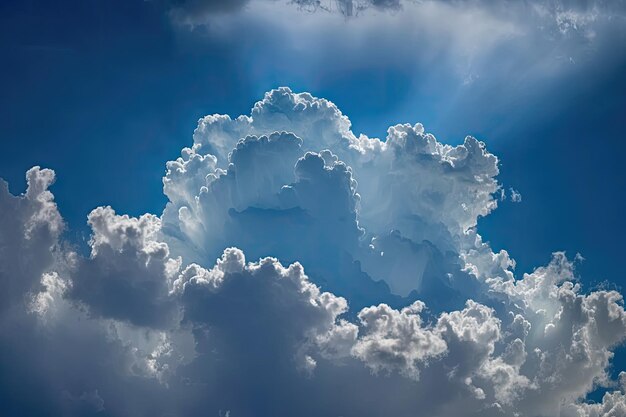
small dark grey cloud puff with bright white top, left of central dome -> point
(129, 273)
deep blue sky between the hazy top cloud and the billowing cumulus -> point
(104, 92)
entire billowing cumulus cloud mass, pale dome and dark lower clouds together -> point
(298, 269)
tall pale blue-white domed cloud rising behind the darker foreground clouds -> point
(344, 198)
